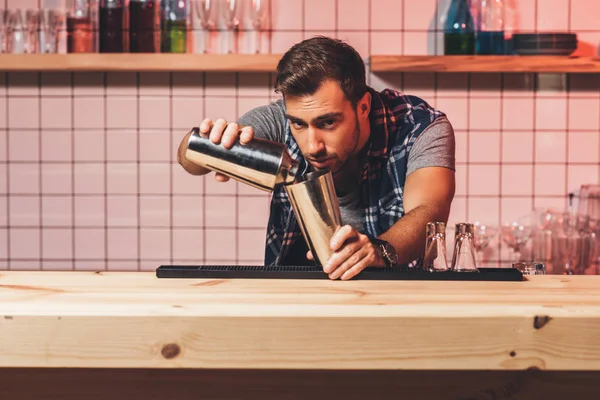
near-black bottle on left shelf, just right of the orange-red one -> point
(114, 26)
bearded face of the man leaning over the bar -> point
(326, 126)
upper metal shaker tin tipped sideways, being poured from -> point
(261, 163)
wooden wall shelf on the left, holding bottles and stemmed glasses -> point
(140, 62)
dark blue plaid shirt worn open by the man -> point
(396, 122)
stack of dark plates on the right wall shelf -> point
(544, 44)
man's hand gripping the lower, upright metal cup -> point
(353, 252)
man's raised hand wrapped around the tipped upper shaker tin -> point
(218, 132)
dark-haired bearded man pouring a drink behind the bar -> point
(391, 157)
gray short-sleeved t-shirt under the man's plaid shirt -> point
(435, 147)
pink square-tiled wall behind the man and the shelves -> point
(88, 178)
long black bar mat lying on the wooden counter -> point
(314, 272)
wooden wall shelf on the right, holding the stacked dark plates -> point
(560, 64)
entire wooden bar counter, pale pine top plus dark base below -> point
(130, 335)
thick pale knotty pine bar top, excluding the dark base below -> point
(135, 320)
